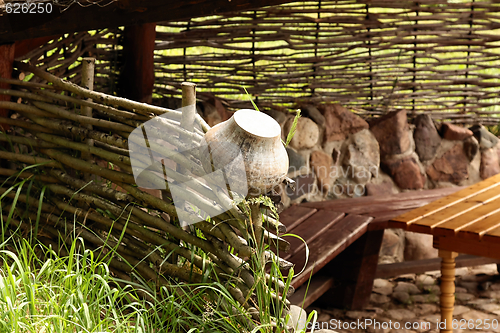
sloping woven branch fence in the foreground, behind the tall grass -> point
(65, 174)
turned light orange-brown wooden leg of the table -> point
(447, 289)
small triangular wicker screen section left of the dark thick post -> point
(62, 57)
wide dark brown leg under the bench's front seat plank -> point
(353, 271)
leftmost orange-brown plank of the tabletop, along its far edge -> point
(452, 199)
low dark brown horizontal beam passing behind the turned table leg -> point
(426, 265)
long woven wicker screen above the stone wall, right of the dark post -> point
(432, 56)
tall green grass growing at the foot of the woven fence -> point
(41, 291)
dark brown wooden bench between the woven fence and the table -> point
(344, 238)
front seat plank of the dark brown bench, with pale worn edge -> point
(328, 245)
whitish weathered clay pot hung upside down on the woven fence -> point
(248, 148)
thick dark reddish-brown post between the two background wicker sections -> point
(137, 77)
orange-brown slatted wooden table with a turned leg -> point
(467, 221)
